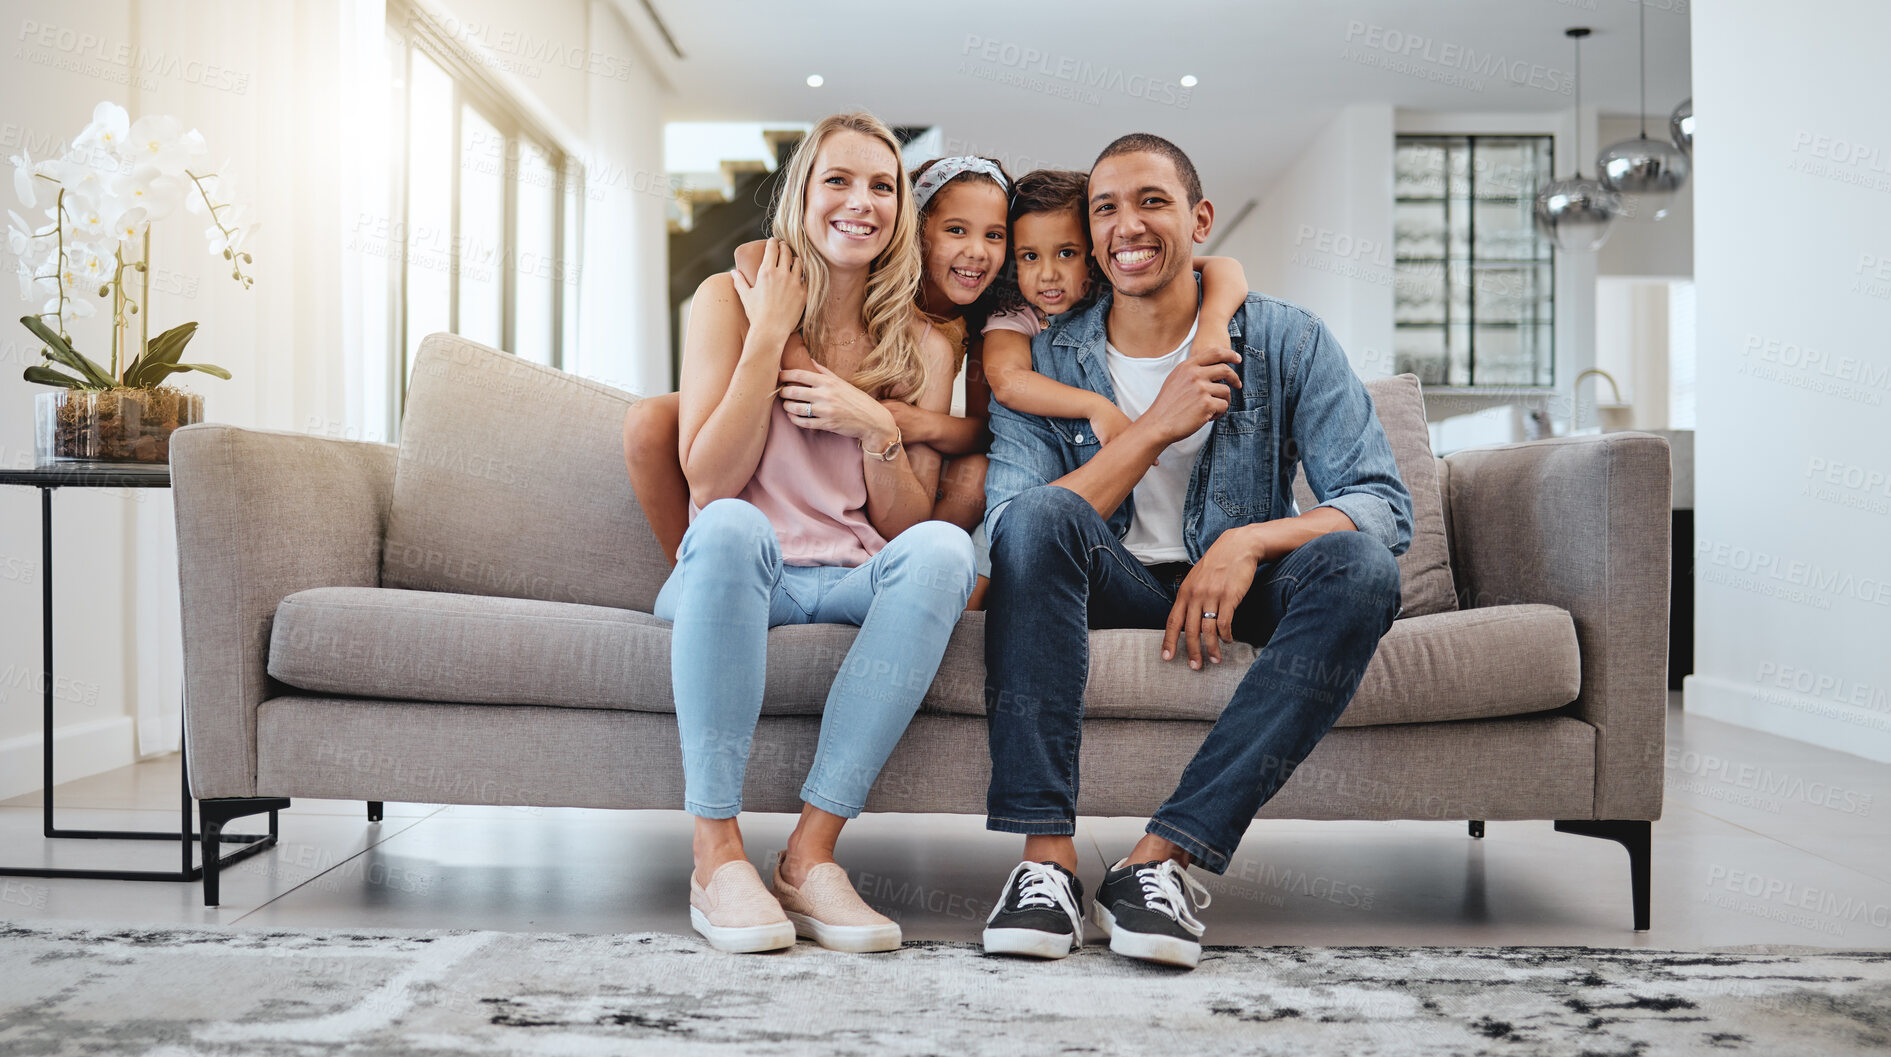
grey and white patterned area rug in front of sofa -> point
(200, 992)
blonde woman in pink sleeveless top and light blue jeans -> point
(808, 510)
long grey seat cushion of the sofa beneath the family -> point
(504, 651)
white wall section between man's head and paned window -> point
(1323, 234)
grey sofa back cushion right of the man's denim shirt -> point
(1425, 568)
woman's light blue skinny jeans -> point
(731, 587)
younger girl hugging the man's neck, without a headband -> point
(1058, 273)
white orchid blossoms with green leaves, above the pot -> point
(101, 199)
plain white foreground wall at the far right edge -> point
(1794, 513)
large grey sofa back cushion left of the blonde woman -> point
(512, 483)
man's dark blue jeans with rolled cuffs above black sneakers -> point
(1058, 570)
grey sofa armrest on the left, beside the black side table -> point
(260, 515)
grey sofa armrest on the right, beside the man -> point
(1582, 523)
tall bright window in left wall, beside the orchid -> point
(487, 209)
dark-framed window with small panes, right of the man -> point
(1474, 281)
